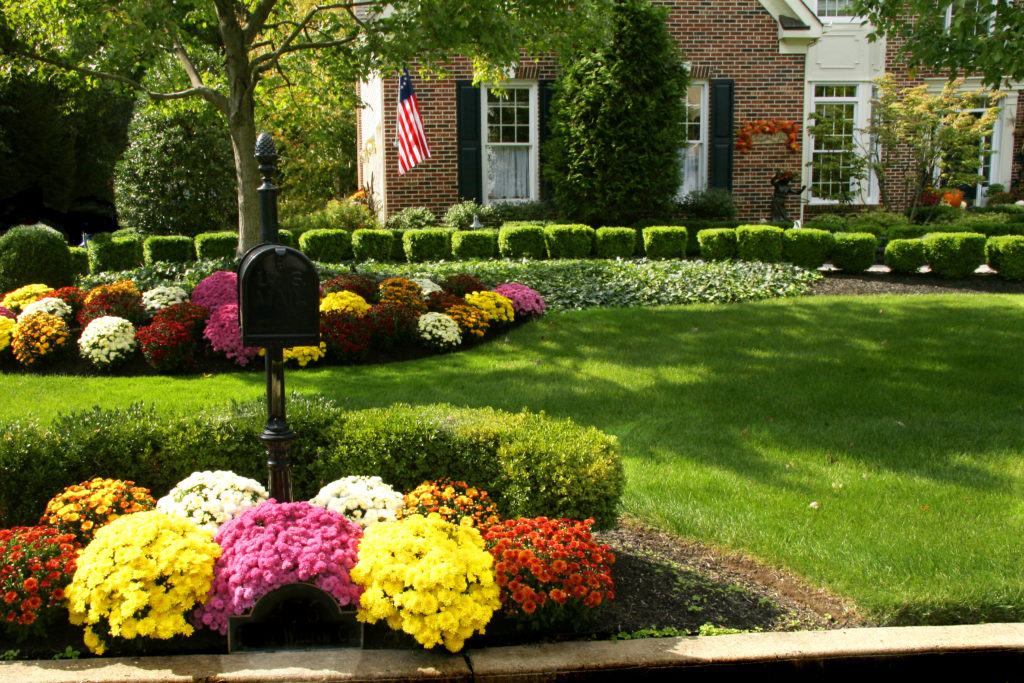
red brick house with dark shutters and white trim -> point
(749, 60)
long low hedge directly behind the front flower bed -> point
(532, 465)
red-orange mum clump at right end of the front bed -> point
(550, 571)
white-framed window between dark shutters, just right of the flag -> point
(510, 143)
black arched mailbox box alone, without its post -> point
(279, 298)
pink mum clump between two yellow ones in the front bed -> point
(277, 544)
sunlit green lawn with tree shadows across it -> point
(901, 416)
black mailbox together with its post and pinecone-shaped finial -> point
(279, 307)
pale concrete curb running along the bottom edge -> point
(546, 662)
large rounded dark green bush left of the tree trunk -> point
(178, 175)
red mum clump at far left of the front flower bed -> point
(36, 566)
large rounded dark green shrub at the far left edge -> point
(34, 254)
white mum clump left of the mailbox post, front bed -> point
(211, 499)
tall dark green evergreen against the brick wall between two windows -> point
(607, 162)
